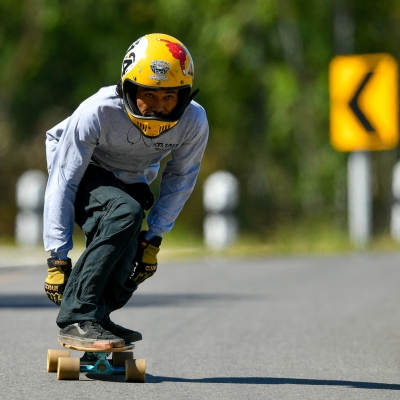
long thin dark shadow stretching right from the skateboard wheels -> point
(276, 381)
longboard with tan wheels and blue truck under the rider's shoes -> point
(96, 361)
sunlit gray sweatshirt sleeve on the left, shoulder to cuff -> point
(69, 147)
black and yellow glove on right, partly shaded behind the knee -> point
(145, 260)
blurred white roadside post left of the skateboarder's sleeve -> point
(30, 190)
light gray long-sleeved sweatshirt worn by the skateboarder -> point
(101, 130)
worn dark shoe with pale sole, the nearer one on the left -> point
(89, 334)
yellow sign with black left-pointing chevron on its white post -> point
(363, 118)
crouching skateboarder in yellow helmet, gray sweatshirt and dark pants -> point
(101, 161)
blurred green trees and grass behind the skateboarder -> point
(262, 70)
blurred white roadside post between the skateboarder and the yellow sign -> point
(220, 199)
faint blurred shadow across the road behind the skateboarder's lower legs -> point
(137, 300)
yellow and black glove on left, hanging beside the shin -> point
(58, 274)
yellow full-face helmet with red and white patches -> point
(157, 61)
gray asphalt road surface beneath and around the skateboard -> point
(284, 328)
